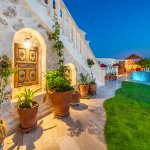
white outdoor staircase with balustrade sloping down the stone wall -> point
(78, 48)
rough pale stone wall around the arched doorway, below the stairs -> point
(15, 15)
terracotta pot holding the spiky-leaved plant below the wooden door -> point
(28, 116)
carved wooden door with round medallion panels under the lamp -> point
(26, 60)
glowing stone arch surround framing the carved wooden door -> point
(36, 40)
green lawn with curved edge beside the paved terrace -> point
(128, 118)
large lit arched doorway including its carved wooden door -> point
(29, 51)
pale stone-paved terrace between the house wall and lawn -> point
(82, 130)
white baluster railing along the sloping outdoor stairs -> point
(70, 32)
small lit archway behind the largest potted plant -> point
(72, 73)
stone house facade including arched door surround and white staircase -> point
(22, 20)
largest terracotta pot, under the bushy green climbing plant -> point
(61, 102)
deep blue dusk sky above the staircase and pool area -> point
(116, 28)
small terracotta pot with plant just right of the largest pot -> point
(76, 96)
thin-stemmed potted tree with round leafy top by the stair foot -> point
(92, 86)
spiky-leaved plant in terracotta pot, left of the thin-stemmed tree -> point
(84, 85)
